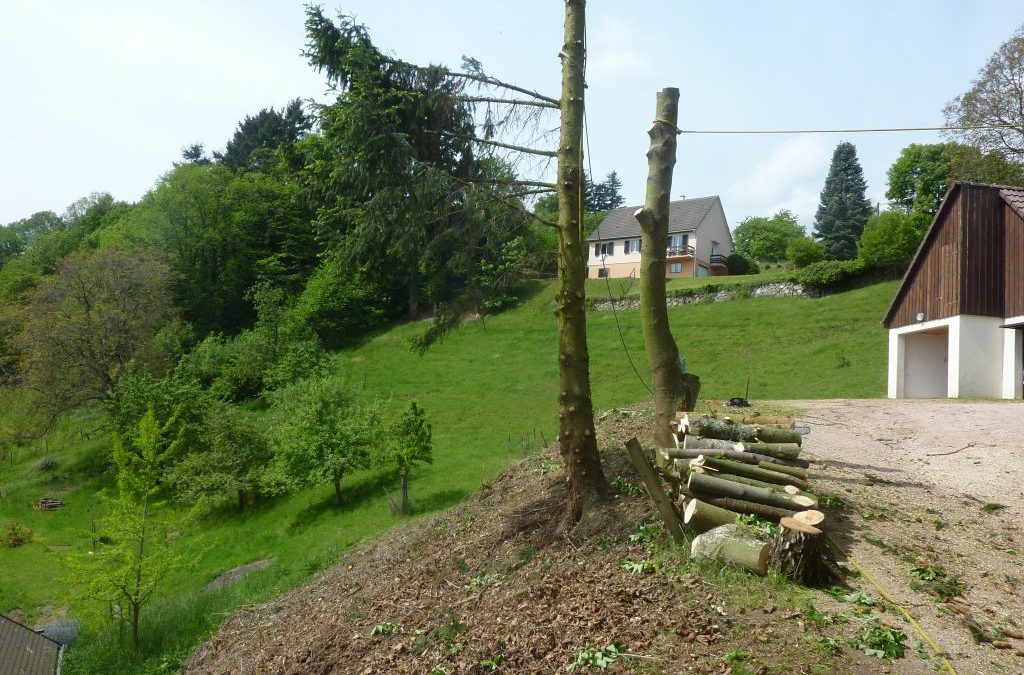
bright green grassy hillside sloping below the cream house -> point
(490, 391)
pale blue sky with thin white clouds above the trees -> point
(103, 96)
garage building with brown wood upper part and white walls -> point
(957, 322)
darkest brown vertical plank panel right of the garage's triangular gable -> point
(983, 251)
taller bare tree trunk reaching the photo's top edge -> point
(578, 445)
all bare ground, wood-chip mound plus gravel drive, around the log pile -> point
(494, 585)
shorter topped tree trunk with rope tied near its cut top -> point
(667, 376)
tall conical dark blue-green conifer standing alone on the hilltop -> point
(844, 208)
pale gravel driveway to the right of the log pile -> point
(917, 476)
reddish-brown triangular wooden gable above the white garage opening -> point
(934, 284)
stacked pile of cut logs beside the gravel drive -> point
(723, 469)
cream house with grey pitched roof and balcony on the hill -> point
(699, 242)
